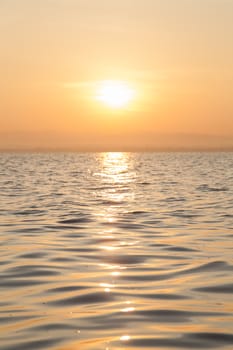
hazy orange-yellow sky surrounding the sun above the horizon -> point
(176, 55)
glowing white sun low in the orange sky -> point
(114, 93)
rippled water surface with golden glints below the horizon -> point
(116, 251)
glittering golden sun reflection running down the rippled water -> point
(116, 193)
